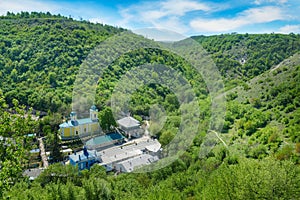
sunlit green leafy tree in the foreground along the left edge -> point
(13, 148)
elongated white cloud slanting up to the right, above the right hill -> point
(247, 17)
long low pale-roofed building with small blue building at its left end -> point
(124, 158)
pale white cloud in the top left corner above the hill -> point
(28, 5)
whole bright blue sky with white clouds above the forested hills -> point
(187, 17)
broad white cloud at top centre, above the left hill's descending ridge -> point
(161, 14)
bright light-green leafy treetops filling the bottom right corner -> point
(253, 179)
